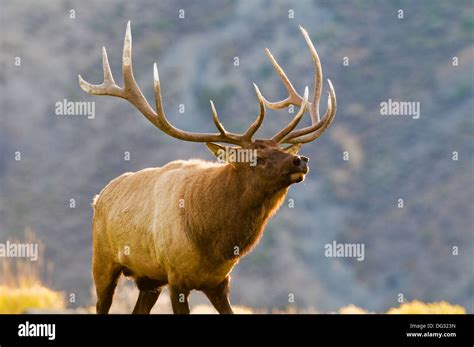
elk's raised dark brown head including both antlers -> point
(271, 161)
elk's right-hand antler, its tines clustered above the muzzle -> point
(318, 126)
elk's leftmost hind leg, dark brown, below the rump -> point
(105, 283)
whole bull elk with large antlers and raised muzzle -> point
(186, 224)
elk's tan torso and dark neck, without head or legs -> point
(176, 224)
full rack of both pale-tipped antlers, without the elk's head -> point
(131, 92)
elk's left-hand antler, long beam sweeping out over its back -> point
(131, 92)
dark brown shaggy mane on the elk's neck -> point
(229, 224)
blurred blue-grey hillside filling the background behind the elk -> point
(408, 250)
